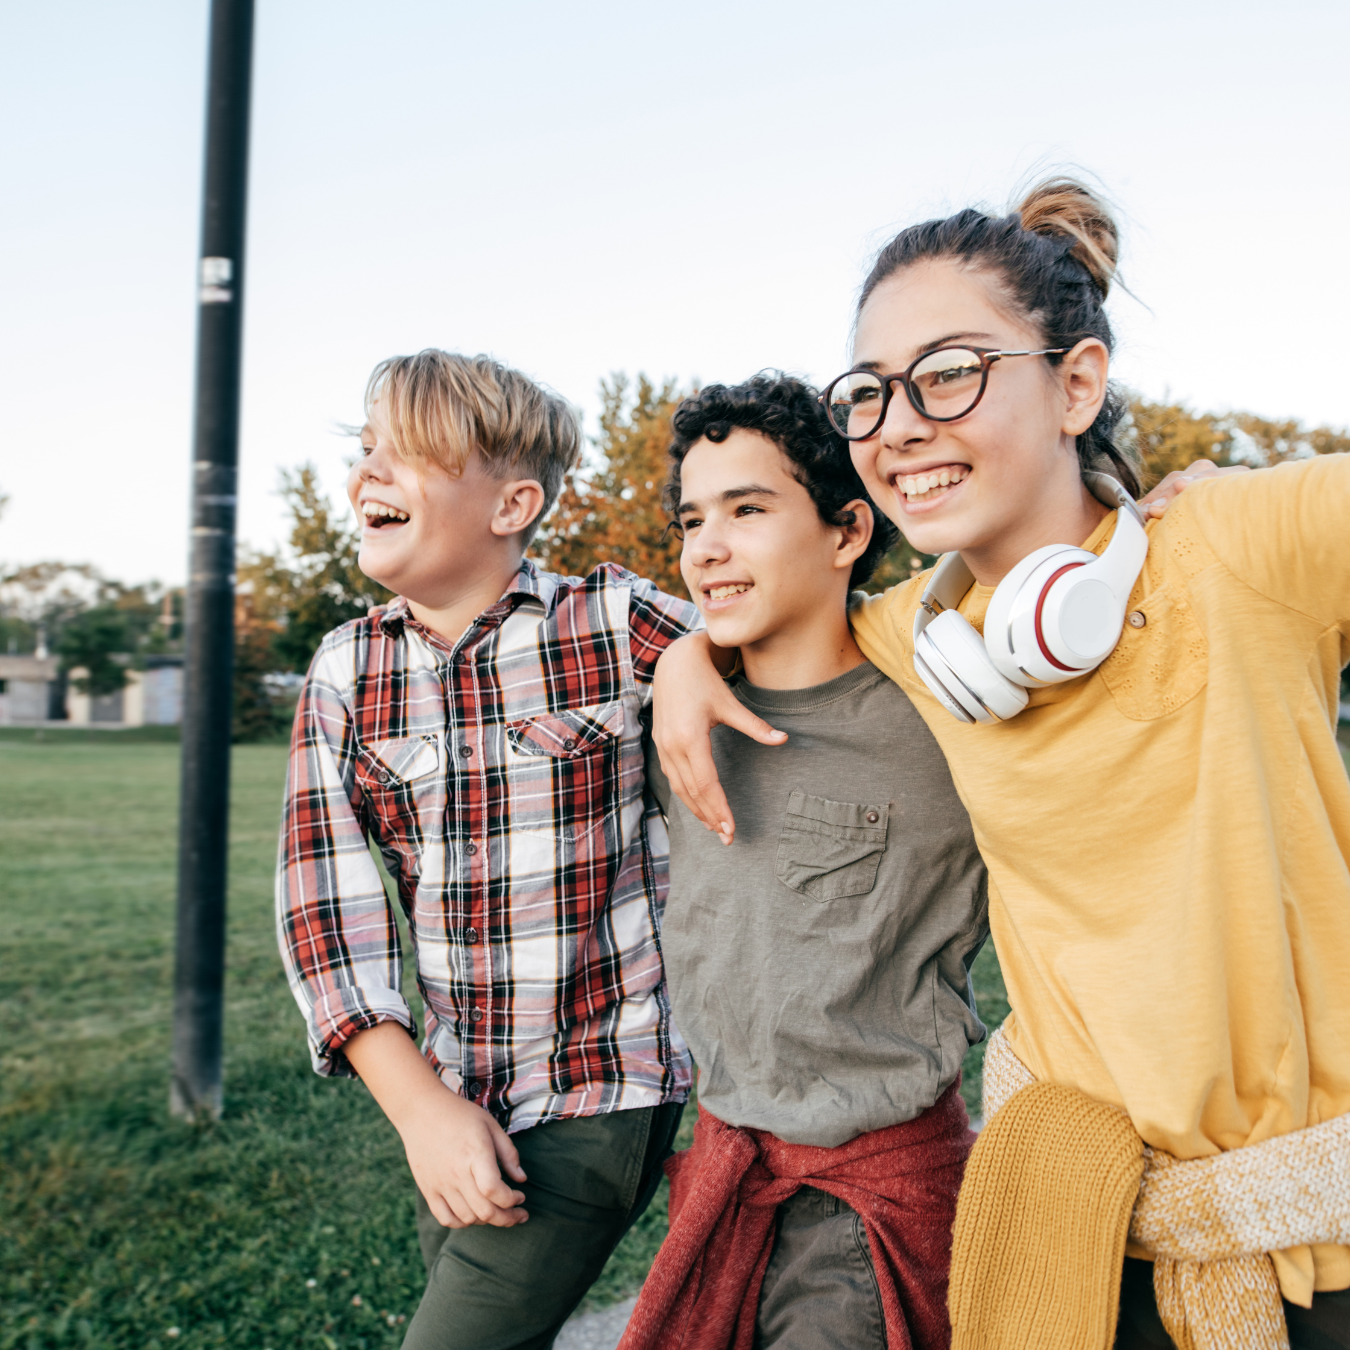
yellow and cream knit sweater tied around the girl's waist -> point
(1055, 1182)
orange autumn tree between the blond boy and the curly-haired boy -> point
(611, 511)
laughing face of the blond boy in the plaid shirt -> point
(425, 533)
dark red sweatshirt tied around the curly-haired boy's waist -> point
(704, 1290)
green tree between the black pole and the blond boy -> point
(315, 587)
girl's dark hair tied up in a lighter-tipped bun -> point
(1055, 257)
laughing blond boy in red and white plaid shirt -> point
(484, 731)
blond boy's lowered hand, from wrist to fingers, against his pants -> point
(458, 1155)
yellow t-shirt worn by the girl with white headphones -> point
(1168, 838)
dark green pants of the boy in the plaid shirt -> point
(514, 1289)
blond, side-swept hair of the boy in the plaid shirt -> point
(442, 407)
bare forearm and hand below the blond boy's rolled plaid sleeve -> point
(456, 1150)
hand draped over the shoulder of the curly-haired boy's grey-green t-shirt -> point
(689, 700)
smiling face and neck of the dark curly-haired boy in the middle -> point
(769, 576)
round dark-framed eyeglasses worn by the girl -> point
(942, 385)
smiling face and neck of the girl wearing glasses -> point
(1004, 480)
